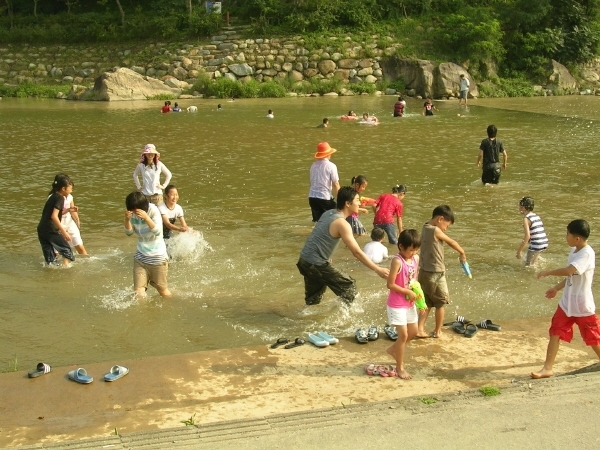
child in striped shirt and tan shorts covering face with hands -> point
(151, 262)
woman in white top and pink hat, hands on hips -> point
(150, 169)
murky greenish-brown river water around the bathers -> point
(243, 182)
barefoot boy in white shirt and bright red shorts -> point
(577, 303)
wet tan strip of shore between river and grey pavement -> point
(255, 382)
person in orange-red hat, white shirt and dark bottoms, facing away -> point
(323, 178)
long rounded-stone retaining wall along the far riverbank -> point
(227, 55)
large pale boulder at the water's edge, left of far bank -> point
(125, 84)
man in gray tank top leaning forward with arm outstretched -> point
(314, 263)
